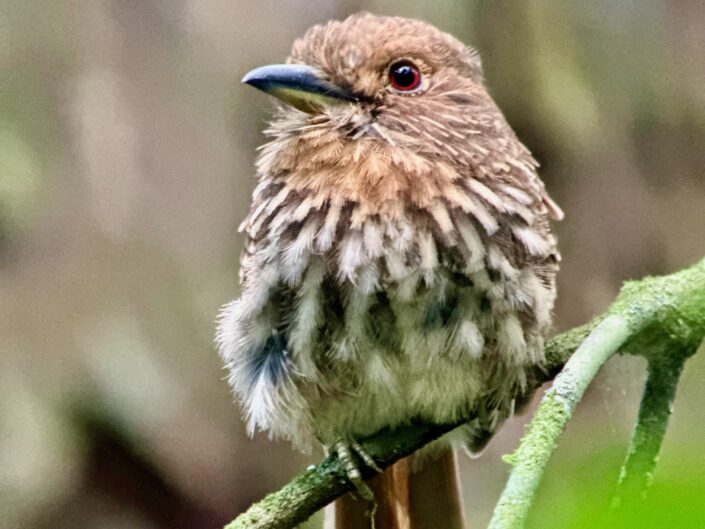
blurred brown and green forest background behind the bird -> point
(126, 154)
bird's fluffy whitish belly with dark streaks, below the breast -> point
(324, 356)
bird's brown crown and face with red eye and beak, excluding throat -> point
(372, 62)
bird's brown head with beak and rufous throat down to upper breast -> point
(383, 108)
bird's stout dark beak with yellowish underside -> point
(298, 85)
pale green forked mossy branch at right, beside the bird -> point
(662, 318)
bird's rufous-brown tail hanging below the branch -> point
(407, 498)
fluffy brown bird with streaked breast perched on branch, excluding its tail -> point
(399, 262)
